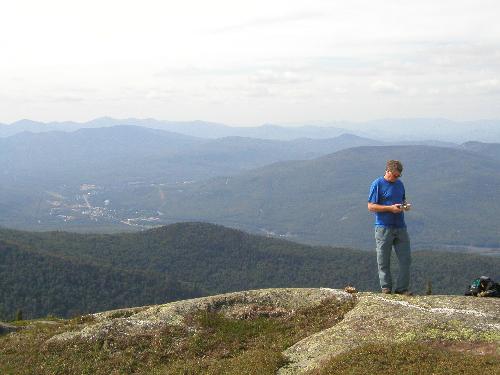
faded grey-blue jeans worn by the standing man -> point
(386, 238)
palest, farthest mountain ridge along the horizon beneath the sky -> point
(392, 130)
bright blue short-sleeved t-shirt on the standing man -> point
(388, 193)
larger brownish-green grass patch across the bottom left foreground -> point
(209, 343)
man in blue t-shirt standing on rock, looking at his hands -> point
(388, 201)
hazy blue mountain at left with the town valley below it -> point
(43, 173)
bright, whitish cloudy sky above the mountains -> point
(249, 63)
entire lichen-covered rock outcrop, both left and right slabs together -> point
(473, 324)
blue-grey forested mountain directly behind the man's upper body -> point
(454, 193)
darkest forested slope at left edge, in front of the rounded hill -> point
(39, 284)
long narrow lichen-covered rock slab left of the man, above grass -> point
(238, 305)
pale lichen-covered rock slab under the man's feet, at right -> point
(388, 319)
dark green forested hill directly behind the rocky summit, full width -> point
(66, 274)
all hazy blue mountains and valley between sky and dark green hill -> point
(307, 184)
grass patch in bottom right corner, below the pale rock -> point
(409, 358)
